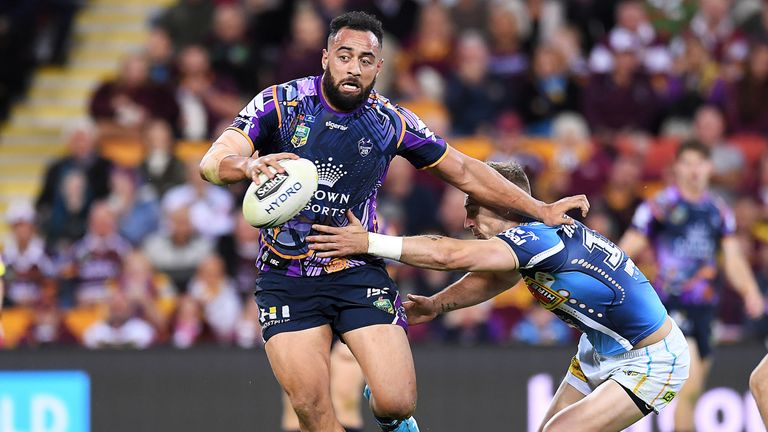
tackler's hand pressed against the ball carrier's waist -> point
(340, 241)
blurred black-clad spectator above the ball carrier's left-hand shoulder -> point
(231, 53)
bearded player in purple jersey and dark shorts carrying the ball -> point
(351, 133)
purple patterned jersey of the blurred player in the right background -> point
(686, 238)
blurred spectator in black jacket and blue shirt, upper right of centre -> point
(548, 92)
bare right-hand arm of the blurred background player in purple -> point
(740, 276)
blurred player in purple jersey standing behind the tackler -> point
(687, 226)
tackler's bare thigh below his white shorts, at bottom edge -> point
(608, 408)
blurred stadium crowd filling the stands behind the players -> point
(590, 96)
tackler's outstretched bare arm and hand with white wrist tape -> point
(428, 251)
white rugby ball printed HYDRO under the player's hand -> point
(274, 201)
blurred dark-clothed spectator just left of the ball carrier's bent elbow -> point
(160, 168)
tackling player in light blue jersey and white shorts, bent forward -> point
(632, 358)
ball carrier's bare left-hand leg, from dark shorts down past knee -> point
(301, 363)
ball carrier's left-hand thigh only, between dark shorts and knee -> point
(300, 361)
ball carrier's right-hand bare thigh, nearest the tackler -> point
(384, 355)
